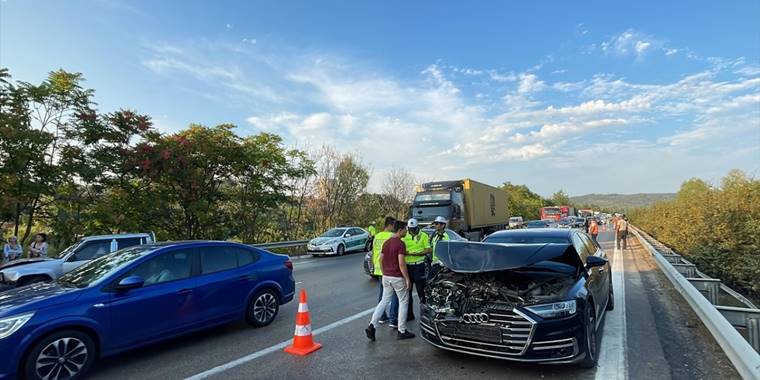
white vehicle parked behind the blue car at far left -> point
(28, 271)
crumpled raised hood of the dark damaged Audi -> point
(471, 257)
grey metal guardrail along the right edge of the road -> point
(703, 294)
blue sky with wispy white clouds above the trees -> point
(593, 97)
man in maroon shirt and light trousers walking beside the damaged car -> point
(395, 281)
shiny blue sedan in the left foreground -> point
(134, 297)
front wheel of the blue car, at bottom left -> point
(67, 354)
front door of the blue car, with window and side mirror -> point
(163, 306)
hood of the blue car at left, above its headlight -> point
(35, 296)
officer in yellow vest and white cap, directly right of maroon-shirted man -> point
(417, 247)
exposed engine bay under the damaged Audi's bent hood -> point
(453, 294)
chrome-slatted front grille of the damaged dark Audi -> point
(512, 331)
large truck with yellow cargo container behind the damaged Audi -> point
(473, 209)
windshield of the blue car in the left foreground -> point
(98, 269)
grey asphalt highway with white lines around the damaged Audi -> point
(652, 334)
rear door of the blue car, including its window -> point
(222, 286)
